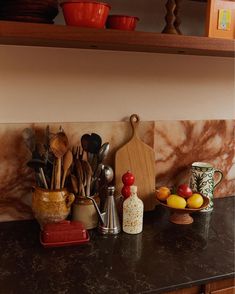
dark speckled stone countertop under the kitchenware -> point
(163, 257)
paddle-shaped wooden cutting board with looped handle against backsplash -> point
(139, 159)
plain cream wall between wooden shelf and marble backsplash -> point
(50, 84)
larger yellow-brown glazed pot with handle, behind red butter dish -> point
(51, 206)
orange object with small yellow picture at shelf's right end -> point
(220, 22)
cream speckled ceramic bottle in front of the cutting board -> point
(133, 209)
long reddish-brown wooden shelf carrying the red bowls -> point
(31, 34)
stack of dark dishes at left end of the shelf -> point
(39, 11)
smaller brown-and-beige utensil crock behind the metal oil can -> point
(84, 211)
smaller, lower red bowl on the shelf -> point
(122, 22)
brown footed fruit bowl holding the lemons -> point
(181, 216)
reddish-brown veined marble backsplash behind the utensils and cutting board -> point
(176, 144)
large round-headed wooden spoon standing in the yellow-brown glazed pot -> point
(59, 145)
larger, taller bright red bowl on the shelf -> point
(85, 14)
